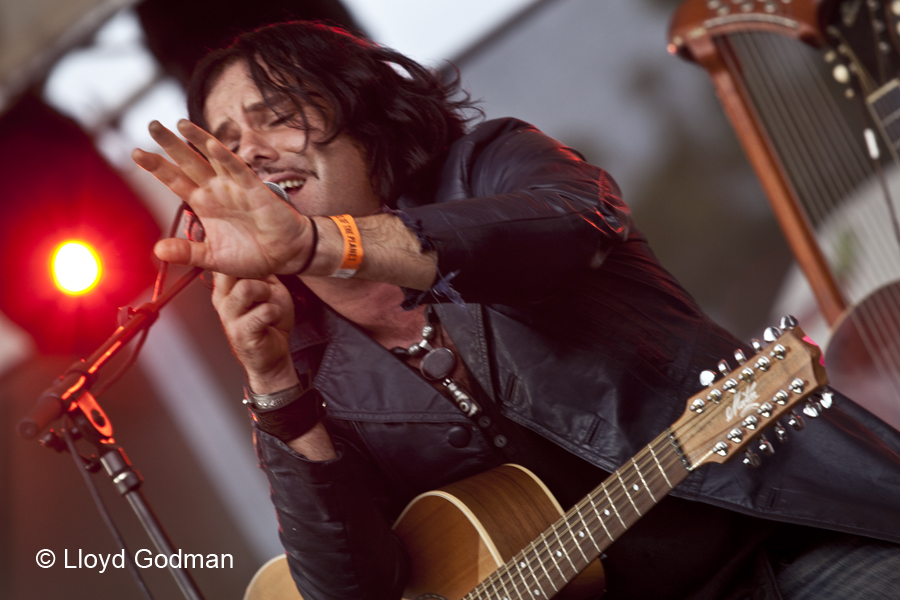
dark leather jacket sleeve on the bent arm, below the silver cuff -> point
(339, 545)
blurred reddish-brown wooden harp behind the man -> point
(811, 88)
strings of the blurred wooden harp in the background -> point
(827, 165)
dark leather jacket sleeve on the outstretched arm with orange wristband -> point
(516, 214)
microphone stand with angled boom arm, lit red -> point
(70, 395)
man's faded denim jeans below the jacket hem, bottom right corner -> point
(843, 567)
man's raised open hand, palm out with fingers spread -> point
(250, 232)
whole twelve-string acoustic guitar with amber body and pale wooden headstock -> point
(501, 534)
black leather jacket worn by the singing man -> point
(598, 359)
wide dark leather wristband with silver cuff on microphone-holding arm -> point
(286, 414)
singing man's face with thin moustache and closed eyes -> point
(320, 180)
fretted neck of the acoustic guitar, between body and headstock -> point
(566, 548)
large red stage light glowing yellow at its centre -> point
(59, 189)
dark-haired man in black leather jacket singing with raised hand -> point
(435, 301)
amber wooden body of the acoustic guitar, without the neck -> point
(458, 535)
